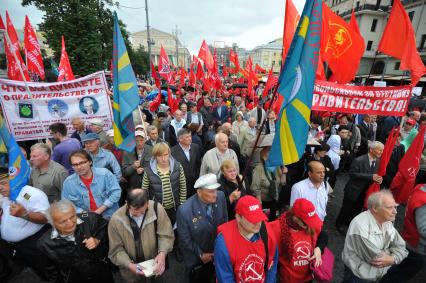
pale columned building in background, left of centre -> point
(168, 41)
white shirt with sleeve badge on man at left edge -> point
(15, 229)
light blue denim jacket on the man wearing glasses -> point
(105, 189)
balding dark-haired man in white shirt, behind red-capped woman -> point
(313, 188)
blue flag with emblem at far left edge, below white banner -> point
(19, 170)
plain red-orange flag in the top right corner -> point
(399, 41)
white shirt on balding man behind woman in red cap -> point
(319, 197)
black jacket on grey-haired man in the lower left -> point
(71, 261)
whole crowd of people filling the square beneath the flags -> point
(197, 186)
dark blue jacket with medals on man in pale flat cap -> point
(196, 233)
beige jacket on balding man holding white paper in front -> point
(122, 249)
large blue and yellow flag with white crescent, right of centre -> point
(296, 84)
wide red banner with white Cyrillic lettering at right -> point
(386, 101)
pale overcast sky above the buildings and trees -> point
(248, 23)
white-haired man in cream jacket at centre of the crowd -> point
(213, 158)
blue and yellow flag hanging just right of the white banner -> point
(126, 97)
